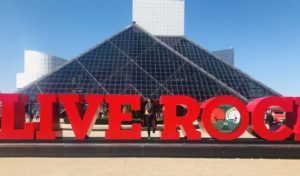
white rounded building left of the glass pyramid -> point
(36, 65)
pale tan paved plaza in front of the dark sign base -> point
(146, 167)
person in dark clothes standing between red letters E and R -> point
(149, 116)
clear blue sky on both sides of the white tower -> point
(264, 33)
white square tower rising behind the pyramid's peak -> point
(160, 17)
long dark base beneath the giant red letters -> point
(206, 148)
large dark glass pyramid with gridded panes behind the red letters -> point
(136, 62)
